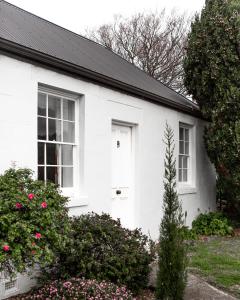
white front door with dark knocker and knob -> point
(122, 175)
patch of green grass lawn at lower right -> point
(218, 261)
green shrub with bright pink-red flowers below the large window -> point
(33, 221)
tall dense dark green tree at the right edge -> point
(212, 76)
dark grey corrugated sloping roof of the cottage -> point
(32, 33)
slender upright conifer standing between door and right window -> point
(171, 279)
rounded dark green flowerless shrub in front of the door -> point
(101, 249)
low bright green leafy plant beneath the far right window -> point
(213, 223)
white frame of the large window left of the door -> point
(67, 191)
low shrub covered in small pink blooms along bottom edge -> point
(78, 289)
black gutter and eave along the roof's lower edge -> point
(53, 62)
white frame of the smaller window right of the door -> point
(186, 187)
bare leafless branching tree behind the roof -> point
(154, 42)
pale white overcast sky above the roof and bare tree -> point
(79, 15)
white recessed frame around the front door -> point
(132, 184)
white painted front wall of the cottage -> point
(18, 135)
